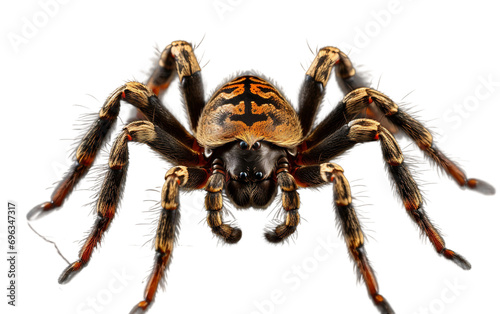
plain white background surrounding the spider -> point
(65, 67)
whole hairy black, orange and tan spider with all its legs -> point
(249, 141)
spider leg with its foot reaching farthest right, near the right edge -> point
(358, 100)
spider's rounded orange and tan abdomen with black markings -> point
(248, 108)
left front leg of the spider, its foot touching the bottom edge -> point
(175, 179)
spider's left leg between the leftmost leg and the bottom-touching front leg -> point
(107, 202)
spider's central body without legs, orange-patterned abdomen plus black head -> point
(249, 124)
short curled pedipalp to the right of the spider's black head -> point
(290, 201)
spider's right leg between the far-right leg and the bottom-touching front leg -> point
(366, 130)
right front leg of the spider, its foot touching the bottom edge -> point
(316, 175)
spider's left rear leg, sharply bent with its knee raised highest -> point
(179, 56)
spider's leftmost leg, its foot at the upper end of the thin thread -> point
(139, 96)
